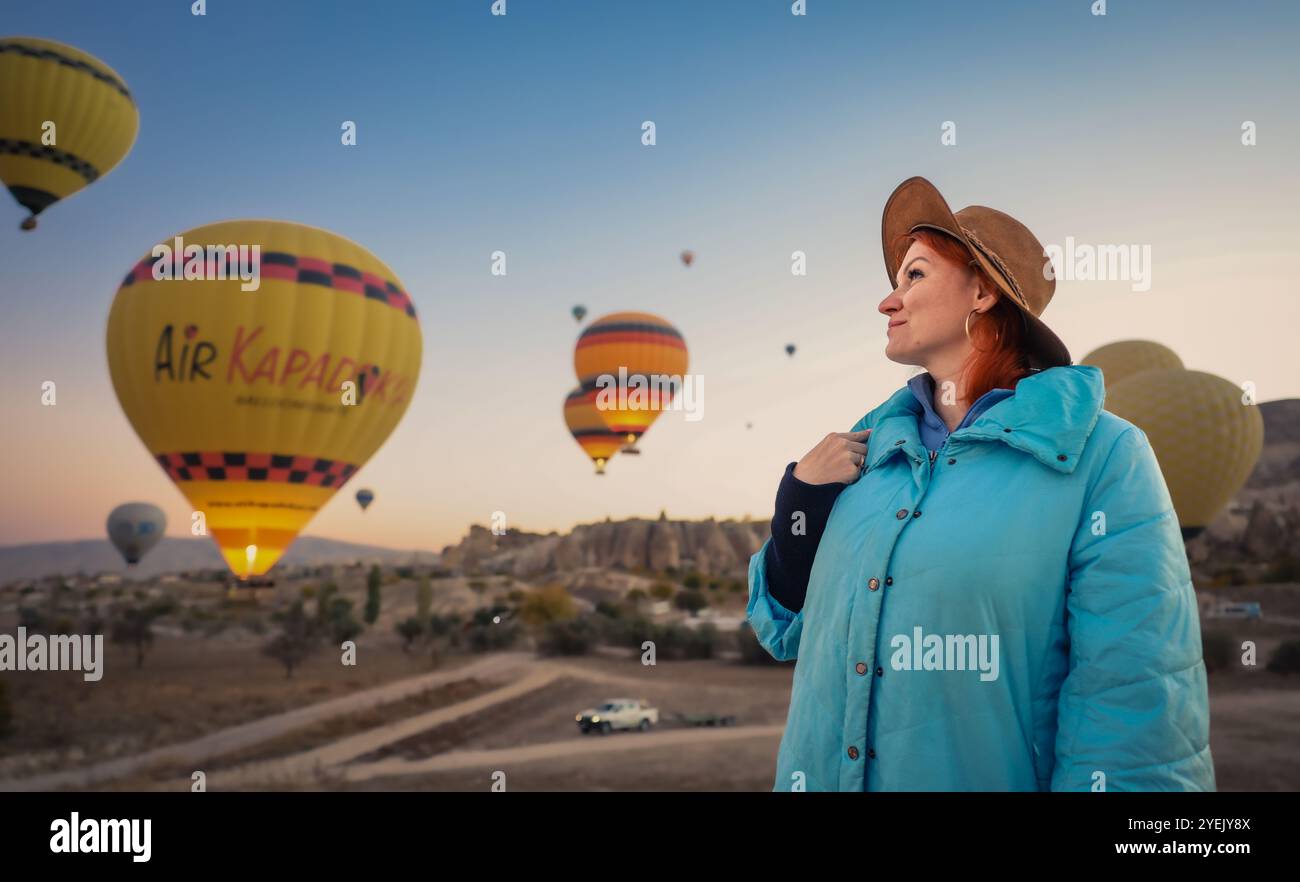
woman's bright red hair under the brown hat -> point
(999, 360)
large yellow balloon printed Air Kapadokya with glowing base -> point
(262, 394)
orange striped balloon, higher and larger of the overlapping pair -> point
(636, 351)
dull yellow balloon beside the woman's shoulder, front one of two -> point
(1206, 439)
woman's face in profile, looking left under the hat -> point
(928, 310)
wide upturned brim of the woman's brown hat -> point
(917, 204)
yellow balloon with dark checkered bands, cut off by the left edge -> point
(67, 119)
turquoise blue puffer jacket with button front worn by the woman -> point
(1016, 616)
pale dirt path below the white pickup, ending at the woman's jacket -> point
(588, 746)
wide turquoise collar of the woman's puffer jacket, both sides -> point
(1050, 417)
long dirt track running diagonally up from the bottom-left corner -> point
(239, 738)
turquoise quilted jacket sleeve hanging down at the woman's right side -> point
(1134, 704)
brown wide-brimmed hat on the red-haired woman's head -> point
(1004, 248)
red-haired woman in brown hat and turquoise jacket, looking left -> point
(985, 582)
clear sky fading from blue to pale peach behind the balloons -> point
(523, 135)
